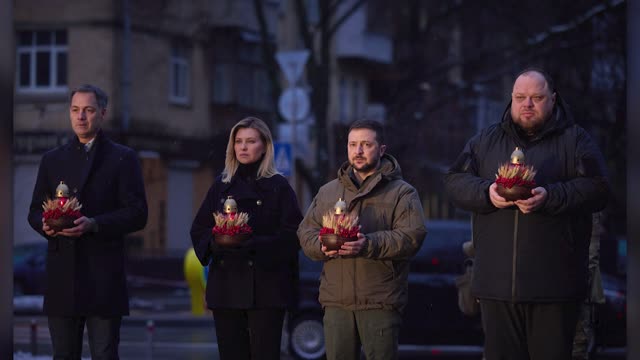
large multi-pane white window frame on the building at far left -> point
(54, 50)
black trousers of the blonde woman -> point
(252, 334)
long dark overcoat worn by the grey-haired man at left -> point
(86, 275)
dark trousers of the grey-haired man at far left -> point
(67, 332)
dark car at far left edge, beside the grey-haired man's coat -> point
(29, 262)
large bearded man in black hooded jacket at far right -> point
(531, 255)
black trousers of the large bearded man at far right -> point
(528, 331)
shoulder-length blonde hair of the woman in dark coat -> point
(267, 164)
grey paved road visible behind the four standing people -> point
(179, 335)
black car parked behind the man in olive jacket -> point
(432, 322)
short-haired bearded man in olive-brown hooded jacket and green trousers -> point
(363, 286)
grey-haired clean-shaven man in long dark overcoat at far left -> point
(86, 281)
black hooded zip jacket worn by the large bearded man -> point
(540, 256)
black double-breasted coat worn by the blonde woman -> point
(263, 273)
